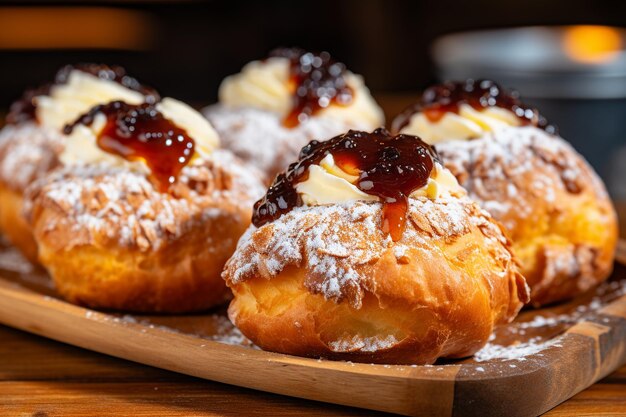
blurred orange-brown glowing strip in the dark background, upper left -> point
(74, 27)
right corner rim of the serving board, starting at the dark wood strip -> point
(595, 348)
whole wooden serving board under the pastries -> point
(543, 358)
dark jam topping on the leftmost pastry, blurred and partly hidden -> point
(24, 109)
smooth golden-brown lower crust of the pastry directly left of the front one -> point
(175, 278)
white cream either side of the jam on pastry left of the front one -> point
(81, 146)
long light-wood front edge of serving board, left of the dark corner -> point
(395, 389)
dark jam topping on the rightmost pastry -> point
(444, 98)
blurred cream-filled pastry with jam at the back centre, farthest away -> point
(274, 107)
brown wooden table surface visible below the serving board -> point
(44, 378)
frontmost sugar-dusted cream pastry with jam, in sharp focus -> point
(367, 249)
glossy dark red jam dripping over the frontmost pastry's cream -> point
(389, 167)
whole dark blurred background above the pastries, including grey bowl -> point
(565, 56)
